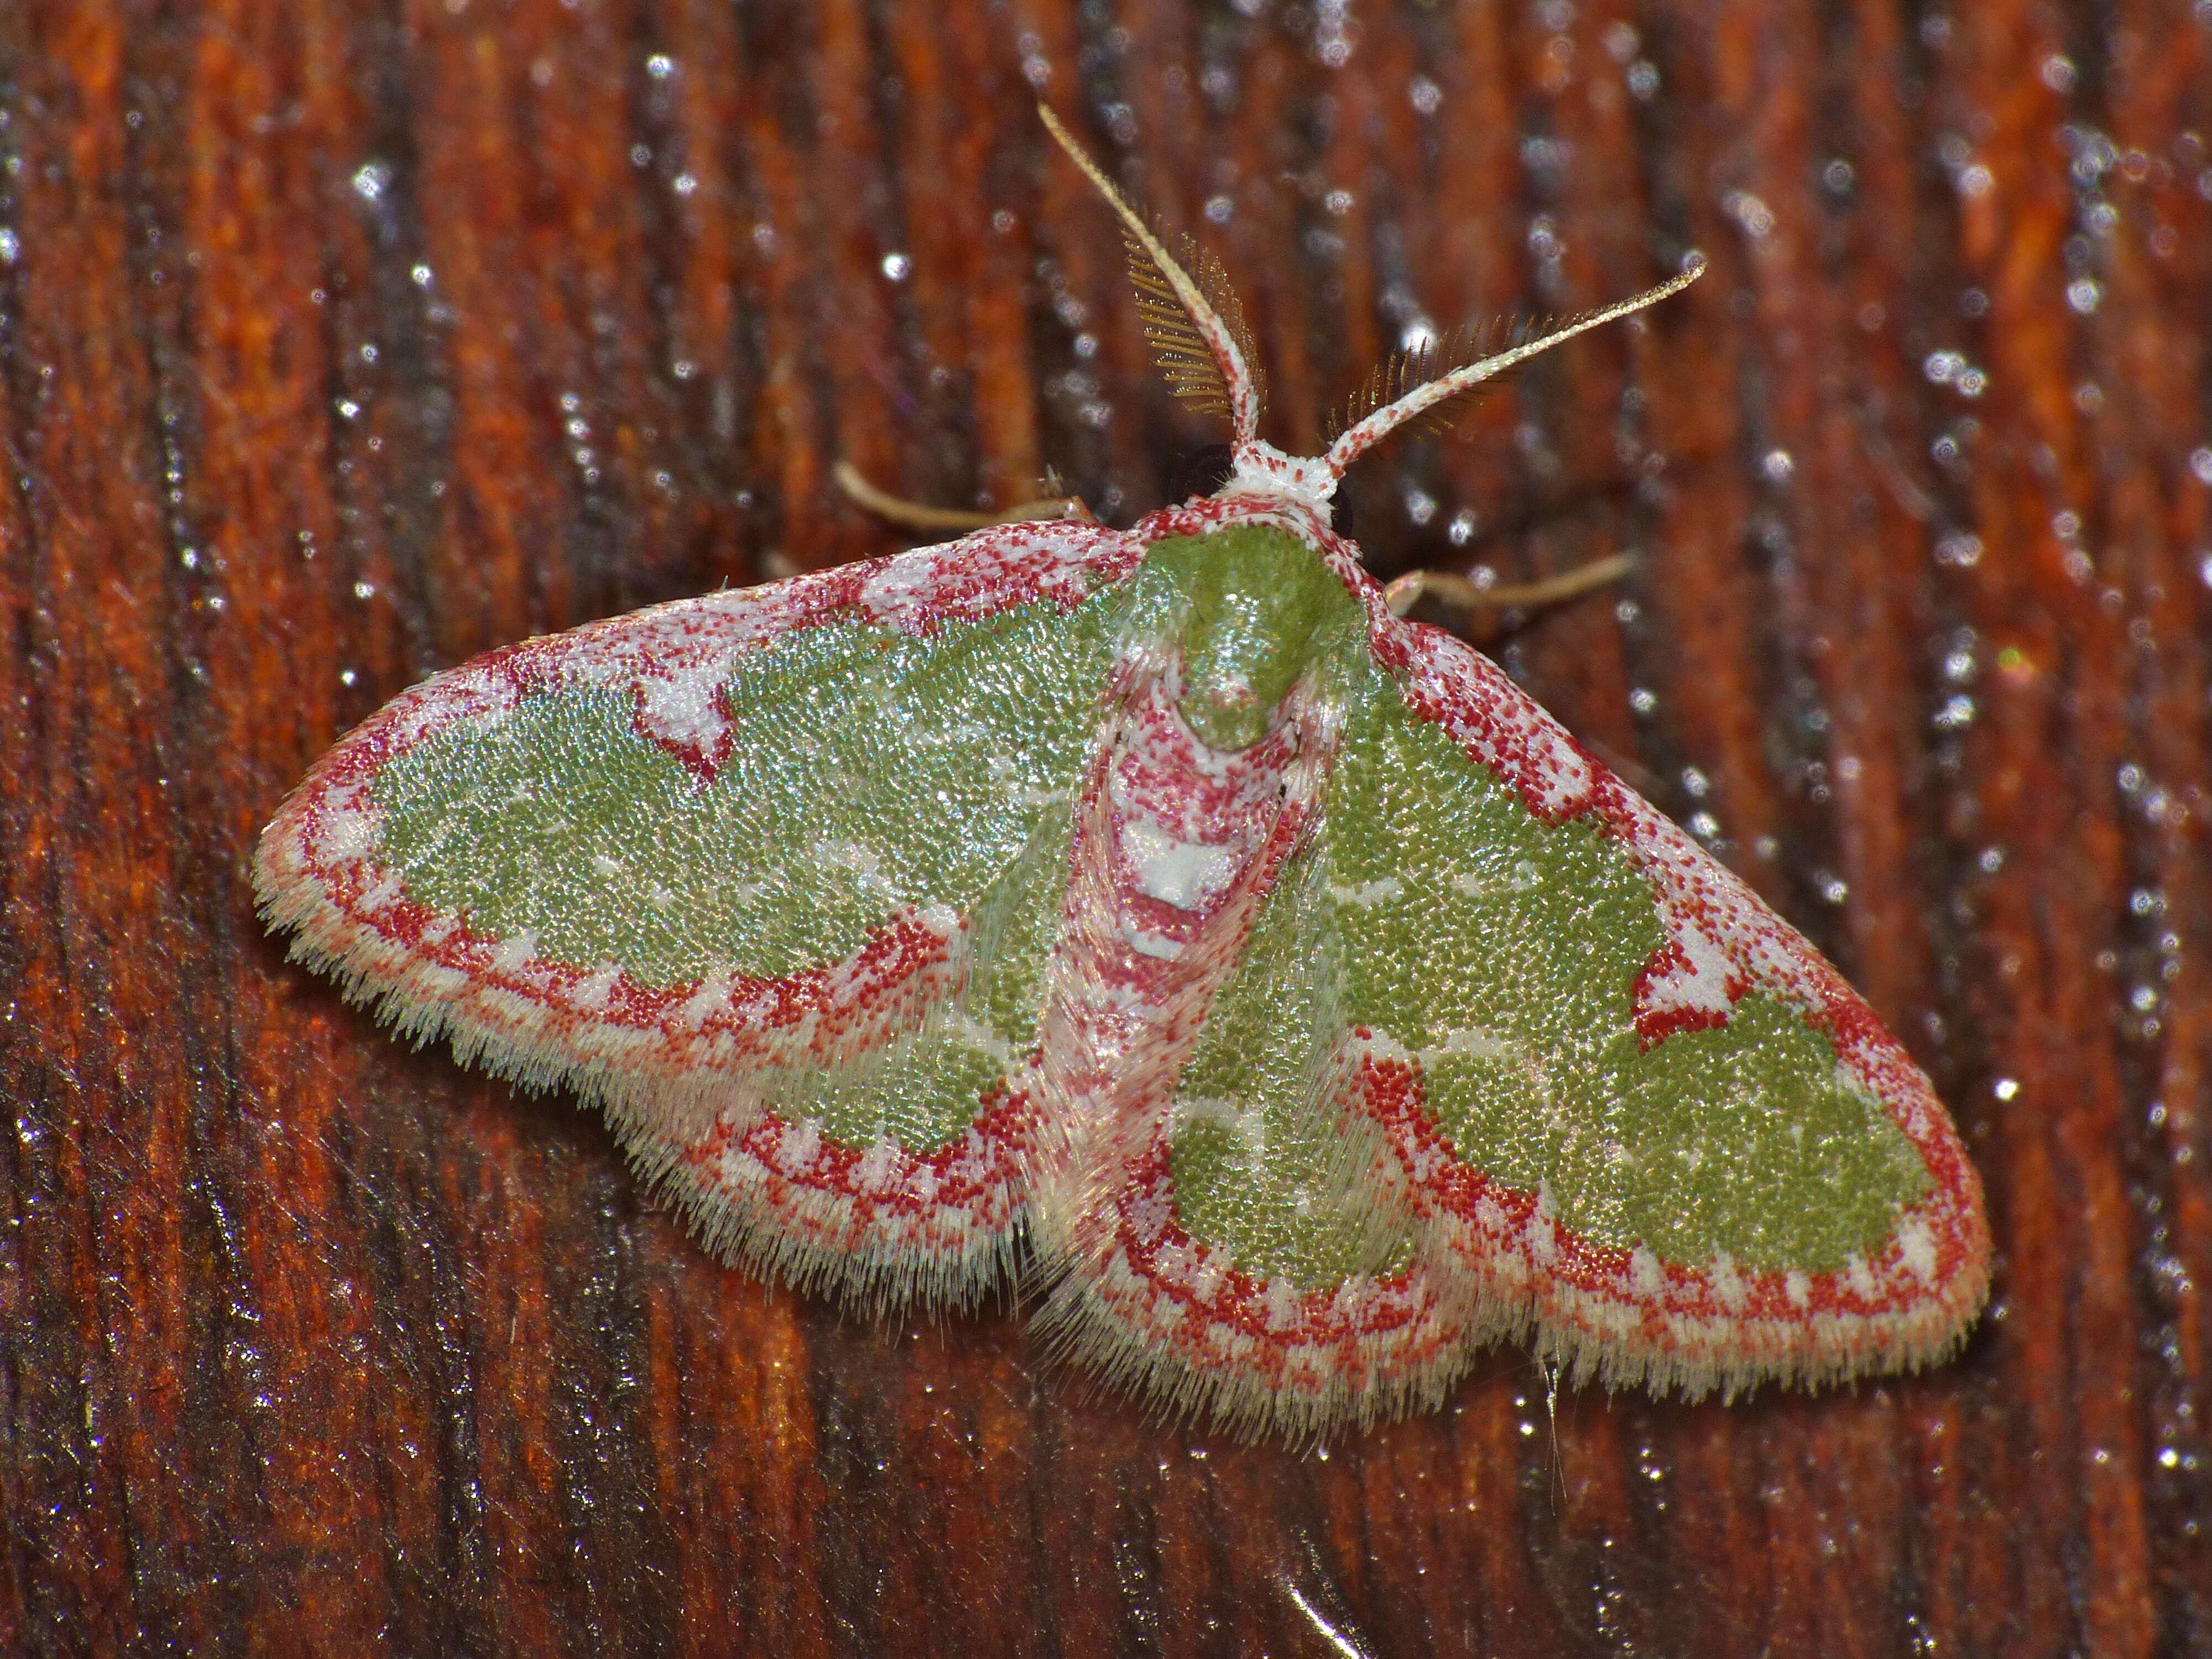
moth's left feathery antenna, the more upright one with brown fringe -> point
(1196, 324)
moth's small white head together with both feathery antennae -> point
(1202, 344)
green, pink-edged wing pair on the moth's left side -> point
(773, 875)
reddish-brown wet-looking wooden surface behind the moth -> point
(344, 340)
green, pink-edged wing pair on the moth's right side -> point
(1512, 1056)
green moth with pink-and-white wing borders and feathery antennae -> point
(1165, 921)
